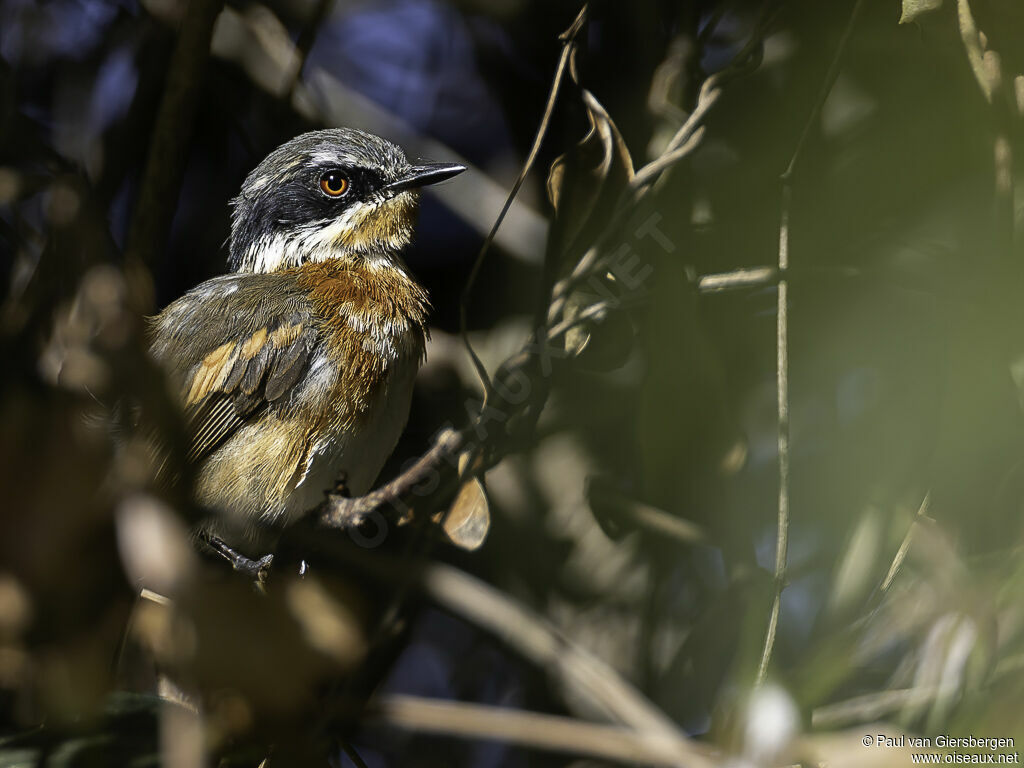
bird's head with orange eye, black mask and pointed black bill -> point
(332, 194)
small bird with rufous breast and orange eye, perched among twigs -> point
(296, 369)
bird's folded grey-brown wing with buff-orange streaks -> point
(238, 346)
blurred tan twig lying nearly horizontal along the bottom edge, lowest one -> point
(534, 731)
